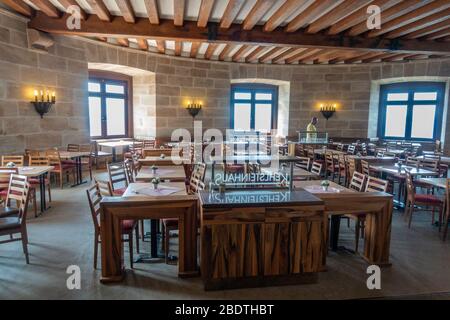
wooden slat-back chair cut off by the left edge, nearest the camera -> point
(14, 221)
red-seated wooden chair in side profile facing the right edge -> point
(427, 200)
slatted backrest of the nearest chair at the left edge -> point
(19, 190)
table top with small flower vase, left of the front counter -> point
(138, 192)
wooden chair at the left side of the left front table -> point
(94, 199)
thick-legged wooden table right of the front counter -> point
(377, 206)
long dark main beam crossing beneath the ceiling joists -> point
(119, 28)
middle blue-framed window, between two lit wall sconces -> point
(254, 107)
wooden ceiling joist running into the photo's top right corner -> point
(413, 16)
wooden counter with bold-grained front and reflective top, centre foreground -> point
(252, 238)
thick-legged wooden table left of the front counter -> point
(140, 206)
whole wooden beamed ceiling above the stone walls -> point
(265, 31)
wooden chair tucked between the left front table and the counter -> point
(196, 184)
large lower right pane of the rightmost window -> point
(423, 122)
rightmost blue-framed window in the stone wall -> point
(411, 111)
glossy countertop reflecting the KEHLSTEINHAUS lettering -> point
(257, 198)
